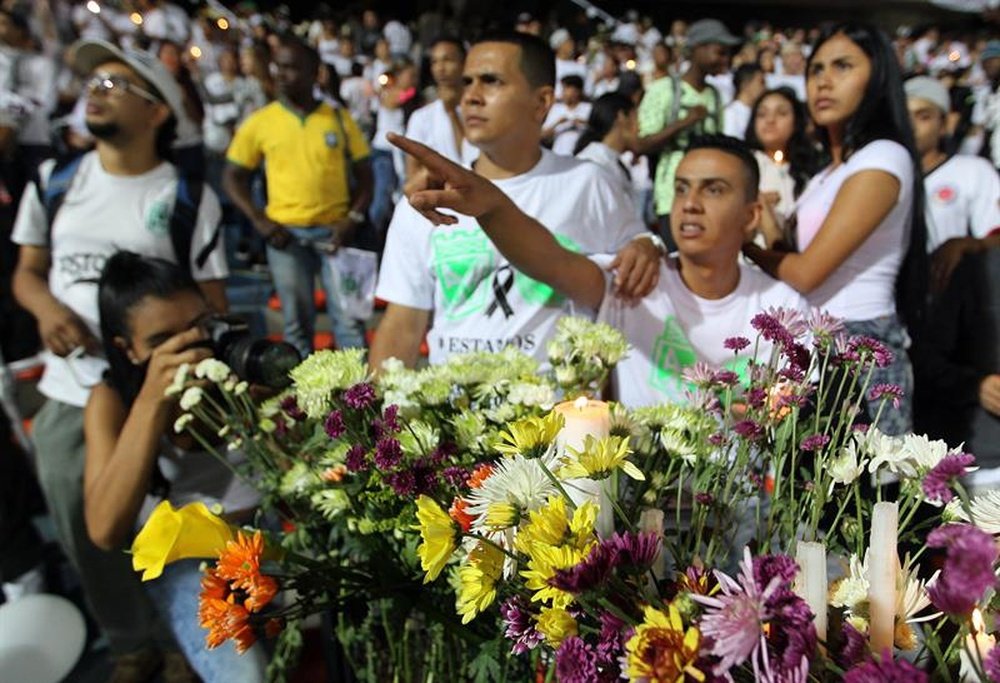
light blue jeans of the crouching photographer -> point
(175, 594)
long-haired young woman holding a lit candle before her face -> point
(786, 156)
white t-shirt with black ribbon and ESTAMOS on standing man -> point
(479, 302)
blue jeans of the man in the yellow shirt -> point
(294, 270)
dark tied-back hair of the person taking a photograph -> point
(126, 280)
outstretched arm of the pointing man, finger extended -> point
(529, 247)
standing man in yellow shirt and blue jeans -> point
(311, 151)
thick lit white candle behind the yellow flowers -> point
(582, 418)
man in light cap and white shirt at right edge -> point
(963, 192)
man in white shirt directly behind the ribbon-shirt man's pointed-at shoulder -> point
(439, 124)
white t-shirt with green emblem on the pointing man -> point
(672, 329)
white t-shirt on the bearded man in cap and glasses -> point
(101, 214)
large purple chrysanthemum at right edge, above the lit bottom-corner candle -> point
(968, 567)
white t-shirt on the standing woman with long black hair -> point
(862, 287)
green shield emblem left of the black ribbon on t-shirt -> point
(463, 261)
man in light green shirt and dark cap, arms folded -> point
(678, 108)
